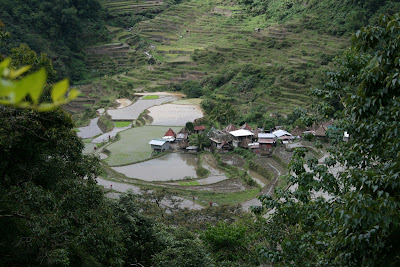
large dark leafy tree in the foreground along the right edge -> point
(356, 221)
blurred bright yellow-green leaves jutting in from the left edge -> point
(26, 92)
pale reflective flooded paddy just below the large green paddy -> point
(172, 166)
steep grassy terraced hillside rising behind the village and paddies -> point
(267, 53)
